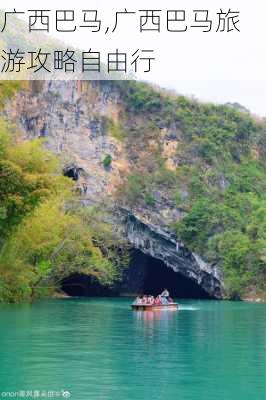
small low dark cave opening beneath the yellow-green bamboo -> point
(81, 285)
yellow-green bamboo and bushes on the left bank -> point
(43, 234)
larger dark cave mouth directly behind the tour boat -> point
(156, 276)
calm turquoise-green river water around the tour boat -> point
(98, 349)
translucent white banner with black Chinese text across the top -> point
(152, 40)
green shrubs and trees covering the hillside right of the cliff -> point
(221, 164)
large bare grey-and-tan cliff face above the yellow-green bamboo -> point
(72, 117)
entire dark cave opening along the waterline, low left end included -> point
(145, 275)
